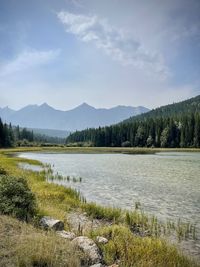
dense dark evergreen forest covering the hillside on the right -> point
(176, 125)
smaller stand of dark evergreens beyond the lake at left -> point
(11, 136)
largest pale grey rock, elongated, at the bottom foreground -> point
(88, 246)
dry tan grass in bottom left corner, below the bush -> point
(23, 245)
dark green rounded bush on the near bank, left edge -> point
(16, 199)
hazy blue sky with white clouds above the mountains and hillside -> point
(102, 52)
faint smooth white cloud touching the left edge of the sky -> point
(28, 59)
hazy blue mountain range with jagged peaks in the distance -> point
(82, 117)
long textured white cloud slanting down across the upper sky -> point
(114, 42)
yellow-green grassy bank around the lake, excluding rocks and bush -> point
(54, 200)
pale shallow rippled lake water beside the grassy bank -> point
(167, 184)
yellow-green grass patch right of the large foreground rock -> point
(131, 250)
